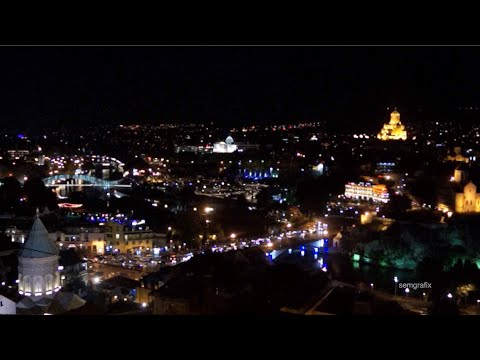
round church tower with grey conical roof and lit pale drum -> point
(38, 274)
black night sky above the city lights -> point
(78, 86)
